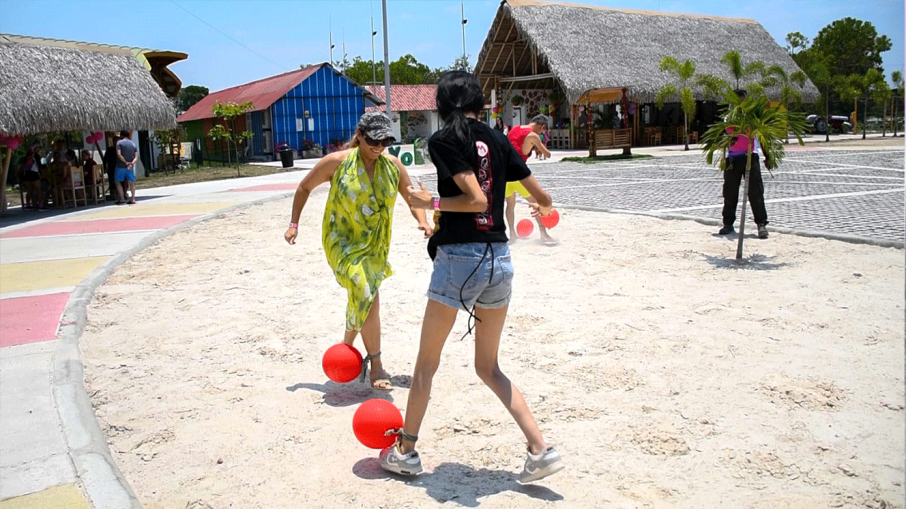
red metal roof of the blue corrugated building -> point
(261, 93)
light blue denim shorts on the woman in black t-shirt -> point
(474, 274)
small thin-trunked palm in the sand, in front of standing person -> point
(754, 117)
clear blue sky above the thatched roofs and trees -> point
(231, 42)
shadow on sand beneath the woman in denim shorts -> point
(458, 483)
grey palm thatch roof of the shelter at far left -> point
(47, 88)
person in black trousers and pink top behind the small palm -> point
(733, 175)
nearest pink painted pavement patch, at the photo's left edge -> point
(26, 320)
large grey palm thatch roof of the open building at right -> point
(583, 48)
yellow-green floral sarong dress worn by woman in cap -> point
(356, 231)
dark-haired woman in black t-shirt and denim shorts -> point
(472, 267)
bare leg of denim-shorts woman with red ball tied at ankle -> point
(436, 326)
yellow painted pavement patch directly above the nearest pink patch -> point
(28, 276)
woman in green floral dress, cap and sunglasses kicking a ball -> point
(356, 228)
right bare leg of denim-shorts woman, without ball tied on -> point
(487, 341)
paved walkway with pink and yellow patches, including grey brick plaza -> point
(52, 453)
